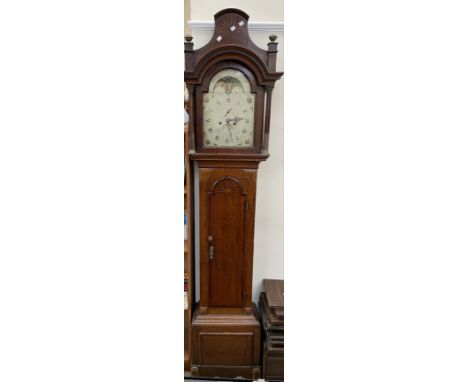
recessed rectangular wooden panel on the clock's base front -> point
(231, 349)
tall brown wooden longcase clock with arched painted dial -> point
(230, 82)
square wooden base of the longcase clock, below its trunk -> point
(226, 345)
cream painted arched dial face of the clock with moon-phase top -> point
(228, 111)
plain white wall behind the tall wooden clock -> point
(269, 239)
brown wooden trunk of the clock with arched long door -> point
(227, 214)
